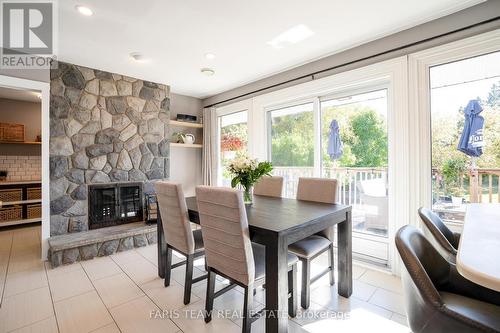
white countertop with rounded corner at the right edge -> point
(479, 245)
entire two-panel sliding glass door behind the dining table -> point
(300, 144)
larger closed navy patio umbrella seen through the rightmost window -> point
(471, 142)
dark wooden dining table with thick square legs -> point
(279, 222)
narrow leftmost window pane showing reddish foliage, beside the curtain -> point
(233, 141)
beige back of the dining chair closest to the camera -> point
(224, 227)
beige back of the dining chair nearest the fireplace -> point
(174, 216)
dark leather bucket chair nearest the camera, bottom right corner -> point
(437, 298)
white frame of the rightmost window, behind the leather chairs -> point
(419, 65)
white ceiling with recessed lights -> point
(176, 34)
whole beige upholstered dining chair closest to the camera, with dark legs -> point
(231, 254)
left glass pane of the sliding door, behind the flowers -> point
(292, 144)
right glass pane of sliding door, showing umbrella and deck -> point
(361, 167)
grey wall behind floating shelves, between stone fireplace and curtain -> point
(185, 163)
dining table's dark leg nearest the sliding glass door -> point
(344, 239)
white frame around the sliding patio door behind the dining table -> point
(392, 73)
